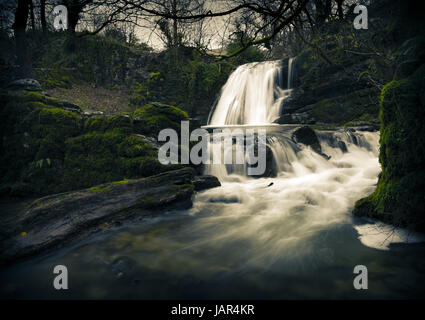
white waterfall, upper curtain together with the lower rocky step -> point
(253, 96)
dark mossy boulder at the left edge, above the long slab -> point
(33, 141)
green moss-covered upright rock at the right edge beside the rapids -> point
(400, 195)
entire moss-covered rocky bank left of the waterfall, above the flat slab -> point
(47, 149)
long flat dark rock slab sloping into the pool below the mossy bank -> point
(53, 221)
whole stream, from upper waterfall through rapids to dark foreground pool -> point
(287, 237)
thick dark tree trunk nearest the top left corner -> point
(19, 26)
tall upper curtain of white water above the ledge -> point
(253, 94)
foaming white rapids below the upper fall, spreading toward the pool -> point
(310, 193)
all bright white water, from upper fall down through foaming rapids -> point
(321, 188)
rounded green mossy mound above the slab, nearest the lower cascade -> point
(96, 158)
